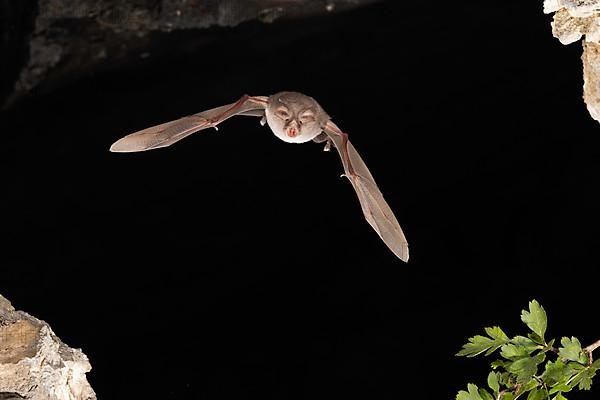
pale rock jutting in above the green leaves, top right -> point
(574, 20)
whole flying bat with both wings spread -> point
(294, 118)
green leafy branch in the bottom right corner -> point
(530, 365)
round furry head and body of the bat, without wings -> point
(294, 117)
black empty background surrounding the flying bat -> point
(234, 265)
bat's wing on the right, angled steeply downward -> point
(374, 207)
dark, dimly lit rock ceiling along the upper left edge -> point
(51, 42)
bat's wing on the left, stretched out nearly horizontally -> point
(166, 134)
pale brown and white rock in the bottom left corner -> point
(35, 364)
